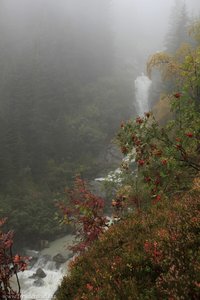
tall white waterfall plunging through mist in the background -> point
(142, 86)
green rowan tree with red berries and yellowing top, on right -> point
(168, 156)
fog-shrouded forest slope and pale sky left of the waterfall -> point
(67, 71)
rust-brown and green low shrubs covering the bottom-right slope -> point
(153, 255)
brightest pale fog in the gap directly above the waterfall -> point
(141, 26)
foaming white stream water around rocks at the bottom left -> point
(44, 288)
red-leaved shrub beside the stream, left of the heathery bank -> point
(84, 211)
